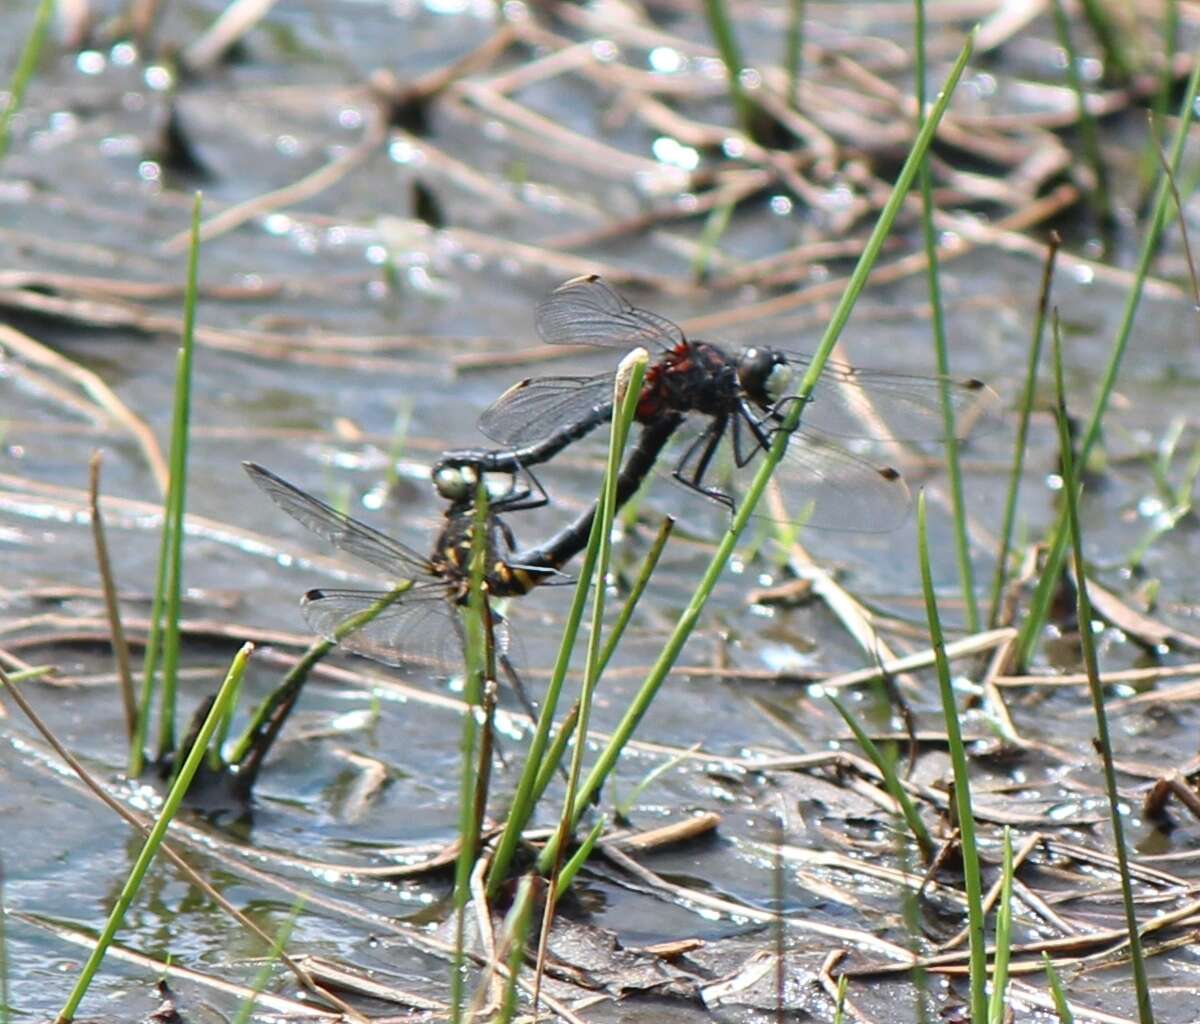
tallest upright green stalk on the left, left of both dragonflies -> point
(178, 500)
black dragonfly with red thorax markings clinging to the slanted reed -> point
(734, 404)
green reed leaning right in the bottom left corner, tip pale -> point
(154, 841)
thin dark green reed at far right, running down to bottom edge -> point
(1071, 492)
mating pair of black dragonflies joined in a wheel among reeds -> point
(721, 410)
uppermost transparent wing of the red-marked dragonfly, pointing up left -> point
(587, 312)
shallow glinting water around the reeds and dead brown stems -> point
(398, 309)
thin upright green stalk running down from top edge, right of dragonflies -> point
(953, 472)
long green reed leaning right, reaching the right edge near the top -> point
(1040, 606)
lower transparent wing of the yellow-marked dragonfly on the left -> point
(422, 627)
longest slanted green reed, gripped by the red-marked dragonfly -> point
(691, 616)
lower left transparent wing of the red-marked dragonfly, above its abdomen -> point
(538, 408)
